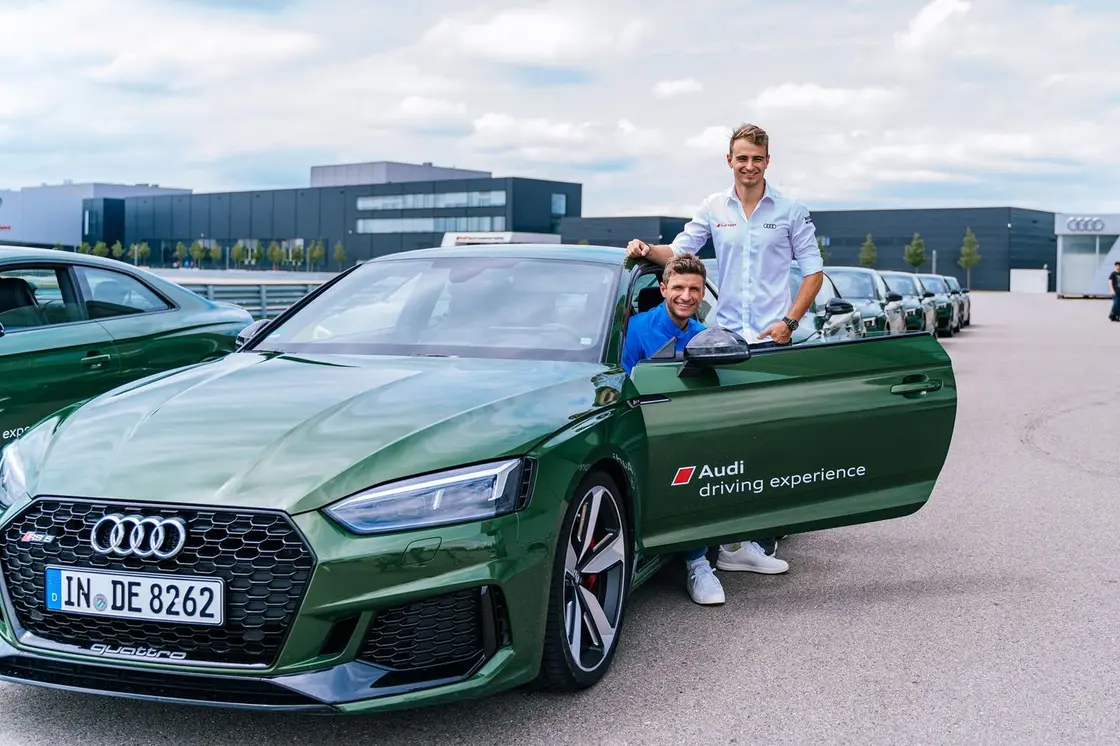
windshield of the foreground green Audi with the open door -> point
(469, 306)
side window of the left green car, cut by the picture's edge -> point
(36, 297)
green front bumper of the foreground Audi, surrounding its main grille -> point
(381, 623)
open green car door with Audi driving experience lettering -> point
(794, 441)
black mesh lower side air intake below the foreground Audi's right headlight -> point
(454, 630)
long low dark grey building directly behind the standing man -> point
(1009, 238)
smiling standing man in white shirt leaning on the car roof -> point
(758, 234)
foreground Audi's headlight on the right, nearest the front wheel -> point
(461, 496)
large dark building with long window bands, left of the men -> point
(369, 220)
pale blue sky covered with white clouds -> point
(875, 104)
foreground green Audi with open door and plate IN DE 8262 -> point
(452, 499)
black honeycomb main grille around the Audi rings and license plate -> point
(263, 559)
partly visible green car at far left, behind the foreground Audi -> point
(73, 327)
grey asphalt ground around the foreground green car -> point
(992, 617)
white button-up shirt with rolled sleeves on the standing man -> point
(754, 255)
